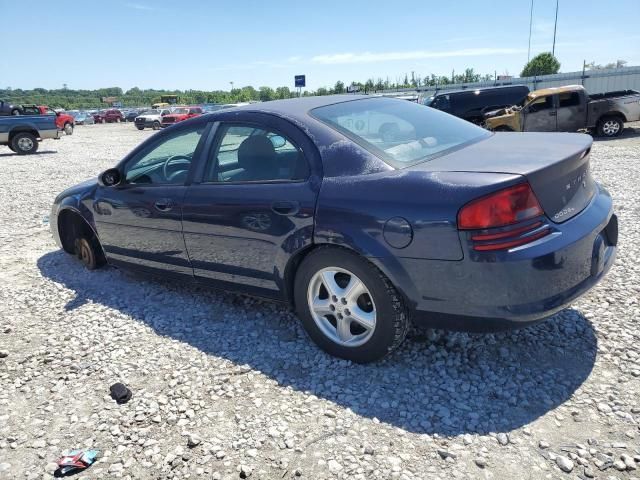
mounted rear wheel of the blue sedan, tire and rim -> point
(330, 320)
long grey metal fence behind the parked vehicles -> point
(594, 81)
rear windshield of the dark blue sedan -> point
(401, 133)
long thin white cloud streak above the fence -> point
(376, 57)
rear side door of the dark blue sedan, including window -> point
(254, 204)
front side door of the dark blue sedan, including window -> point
(139, 220)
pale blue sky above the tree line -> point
(208, 44)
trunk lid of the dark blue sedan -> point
(556, 166)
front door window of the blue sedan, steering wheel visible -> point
(166, 162)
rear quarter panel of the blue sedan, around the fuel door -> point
(353, 210)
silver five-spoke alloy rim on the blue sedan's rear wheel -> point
(342, 306)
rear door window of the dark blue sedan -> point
(248, 153)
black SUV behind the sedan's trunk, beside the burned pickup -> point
(472, 104)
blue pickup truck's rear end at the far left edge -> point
(21, 133)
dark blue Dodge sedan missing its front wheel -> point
(365, 214)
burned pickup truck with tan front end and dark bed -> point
(569, 109)
